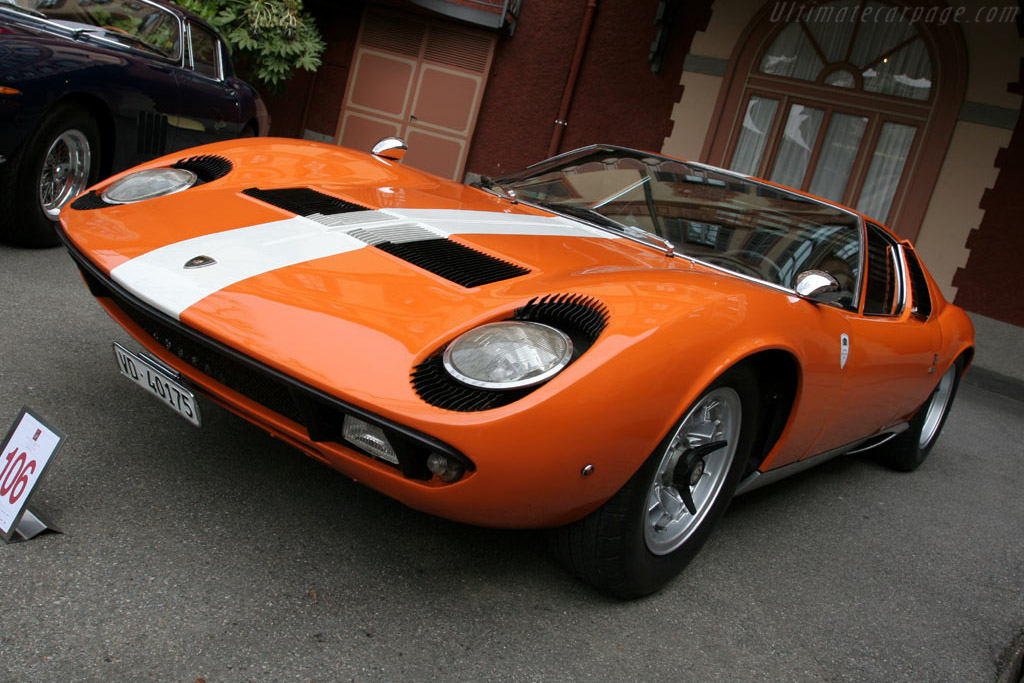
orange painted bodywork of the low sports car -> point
(355, 324)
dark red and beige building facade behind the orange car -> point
(907, 110)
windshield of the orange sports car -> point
(719, 219)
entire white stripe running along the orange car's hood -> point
(161, 280)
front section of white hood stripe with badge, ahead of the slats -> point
(161, 280)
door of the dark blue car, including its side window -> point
(209, 109)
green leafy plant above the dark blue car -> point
(268, 38)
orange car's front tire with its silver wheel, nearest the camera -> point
(646, 535)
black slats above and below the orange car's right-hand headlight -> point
(582, 318)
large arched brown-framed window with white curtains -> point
(834, 103)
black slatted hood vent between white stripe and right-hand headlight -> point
(454, 262)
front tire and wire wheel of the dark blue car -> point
(55, 164)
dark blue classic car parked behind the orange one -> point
(91, 88)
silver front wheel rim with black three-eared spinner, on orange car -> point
(693, 472)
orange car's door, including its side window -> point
(889, 355)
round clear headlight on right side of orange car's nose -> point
(511, 355)
